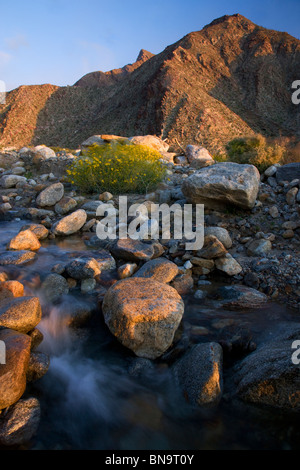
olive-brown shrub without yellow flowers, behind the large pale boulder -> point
(256, 151)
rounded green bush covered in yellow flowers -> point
(117, 168)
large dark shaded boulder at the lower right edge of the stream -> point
(270, 375)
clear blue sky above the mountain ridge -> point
(58, 41)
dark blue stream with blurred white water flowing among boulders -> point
(93, 397)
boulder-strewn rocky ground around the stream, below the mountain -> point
(251, 249)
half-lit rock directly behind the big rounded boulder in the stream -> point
(159, 269)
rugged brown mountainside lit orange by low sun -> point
(231, 78)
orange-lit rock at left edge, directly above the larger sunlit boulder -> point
(21, 314)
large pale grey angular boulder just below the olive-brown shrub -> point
(223, 184)
